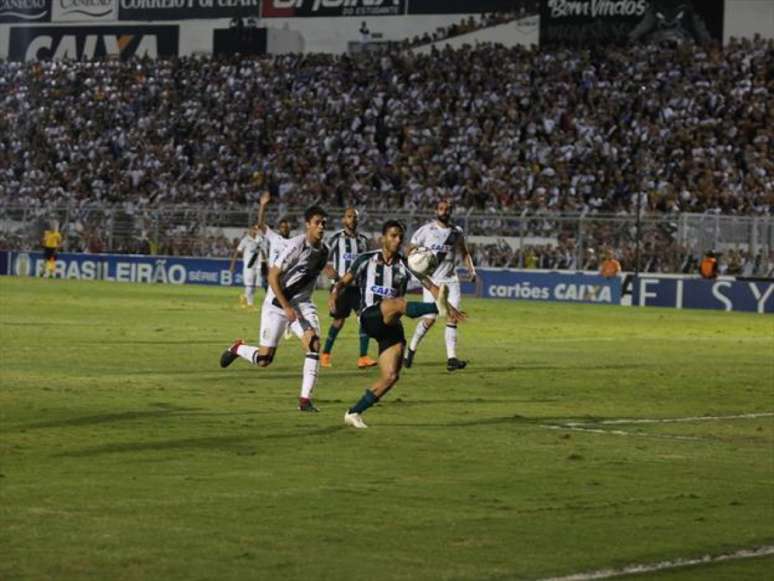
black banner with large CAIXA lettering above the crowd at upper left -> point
(90, 42)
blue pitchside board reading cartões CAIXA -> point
(549, 286)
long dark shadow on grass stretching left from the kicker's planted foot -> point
(236, 444)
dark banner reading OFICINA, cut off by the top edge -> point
(306, 8)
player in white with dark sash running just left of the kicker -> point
(288, 303)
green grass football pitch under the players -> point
(127, 453)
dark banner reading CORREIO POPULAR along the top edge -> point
(150, 10)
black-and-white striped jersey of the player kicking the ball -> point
(378, 280)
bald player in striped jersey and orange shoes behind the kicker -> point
(345, 245)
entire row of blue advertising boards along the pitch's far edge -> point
(649, 290)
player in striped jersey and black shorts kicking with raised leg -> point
(382, 277)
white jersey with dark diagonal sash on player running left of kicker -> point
(300, 264)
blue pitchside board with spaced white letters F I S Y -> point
(692, 293)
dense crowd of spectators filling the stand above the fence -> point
(501, 130)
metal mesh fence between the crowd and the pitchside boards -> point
(669, 243)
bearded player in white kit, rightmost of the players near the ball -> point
(447, 242)
